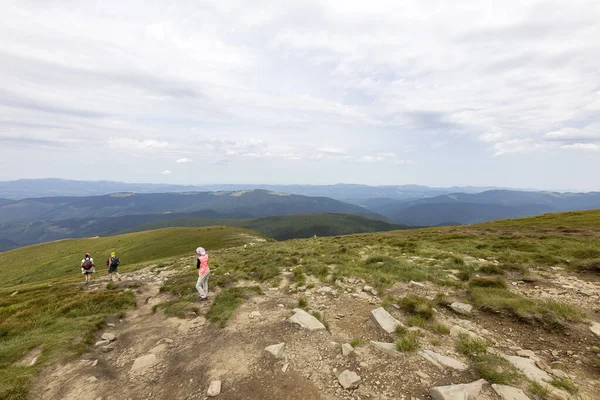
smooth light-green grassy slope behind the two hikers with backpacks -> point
(63, 258)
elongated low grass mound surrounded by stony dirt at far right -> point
(549, 313)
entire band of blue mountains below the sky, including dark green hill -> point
(38, 219)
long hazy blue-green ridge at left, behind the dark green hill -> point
(256, 203)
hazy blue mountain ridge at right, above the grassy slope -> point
(464, 208)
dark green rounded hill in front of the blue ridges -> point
(286, 227)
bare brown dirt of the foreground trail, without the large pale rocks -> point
(187, 354)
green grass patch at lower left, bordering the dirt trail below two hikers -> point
(61, 320)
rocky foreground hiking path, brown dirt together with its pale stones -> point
(271, 350)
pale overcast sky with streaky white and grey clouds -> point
(231, 91)
